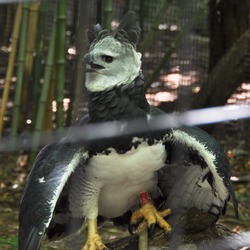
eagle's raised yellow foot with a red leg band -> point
(149, 213)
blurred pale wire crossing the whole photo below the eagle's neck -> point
(99, 131)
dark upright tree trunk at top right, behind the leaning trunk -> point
(228, 21)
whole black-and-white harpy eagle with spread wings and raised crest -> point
(71, 181)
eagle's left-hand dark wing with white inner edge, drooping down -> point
(52, 168)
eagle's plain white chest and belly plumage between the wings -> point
(121, 177)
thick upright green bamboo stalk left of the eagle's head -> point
(61, 28)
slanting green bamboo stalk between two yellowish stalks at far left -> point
(20, 71)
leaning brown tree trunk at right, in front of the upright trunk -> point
(231, 70)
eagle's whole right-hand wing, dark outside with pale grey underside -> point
(197, 172)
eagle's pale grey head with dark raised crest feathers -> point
(112, 59)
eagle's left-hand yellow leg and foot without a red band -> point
(94, 240)
